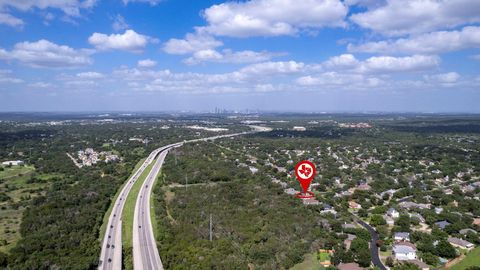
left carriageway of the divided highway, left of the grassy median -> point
(111, 254)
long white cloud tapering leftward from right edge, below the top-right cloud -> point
(431, 43)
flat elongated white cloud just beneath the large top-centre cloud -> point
(229, 56)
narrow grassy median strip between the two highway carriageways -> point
(127, 216)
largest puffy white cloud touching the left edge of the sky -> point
(44, 53)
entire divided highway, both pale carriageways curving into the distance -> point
(145, 252)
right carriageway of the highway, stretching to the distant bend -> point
(145, 252)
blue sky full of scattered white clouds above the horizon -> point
(281, 55)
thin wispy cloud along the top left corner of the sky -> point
(69, 7)
